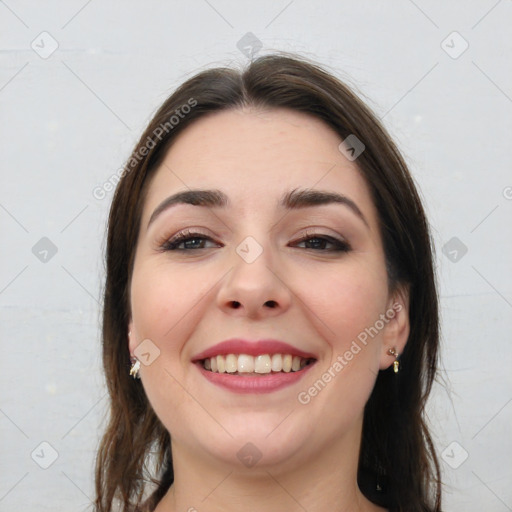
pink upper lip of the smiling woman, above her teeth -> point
(252, 348)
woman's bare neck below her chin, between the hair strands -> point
(316, 482)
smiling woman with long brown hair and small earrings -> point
(270, 286)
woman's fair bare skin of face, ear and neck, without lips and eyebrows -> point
(183, 302)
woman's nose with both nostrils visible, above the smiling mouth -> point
(254, 290)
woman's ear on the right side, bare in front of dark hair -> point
(396, 330)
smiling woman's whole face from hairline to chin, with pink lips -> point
(261, 266)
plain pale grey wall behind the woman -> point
(70, 119)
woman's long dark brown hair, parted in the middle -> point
(397, 455)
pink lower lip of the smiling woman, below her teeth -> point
(265, 384)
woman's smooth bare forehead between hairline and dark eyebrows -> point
(255, 156)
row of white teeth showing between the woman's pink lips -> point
(249, 366)
